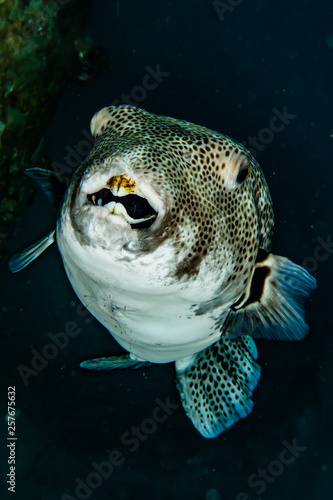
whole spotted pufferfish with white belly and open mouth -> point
(165, 233)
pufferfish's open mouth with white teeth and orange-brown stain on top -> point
(122, 196)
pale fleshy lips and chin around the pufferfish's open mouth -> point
(119, 208)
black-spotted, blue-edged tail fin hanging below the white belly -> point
(216, 384)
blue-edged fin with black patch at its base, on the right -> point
(273, 305)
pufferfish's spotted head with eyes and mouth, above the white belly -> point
(183, 202)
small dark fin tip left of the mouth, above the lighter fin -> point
(49, 183)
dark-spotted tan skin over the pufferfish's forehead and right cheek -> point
(209, 216)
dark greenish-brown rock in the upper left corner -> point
(35, 65)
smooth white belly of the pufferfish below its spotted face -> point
(155, 322)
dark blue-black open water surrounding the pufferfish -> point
(228, 75)
